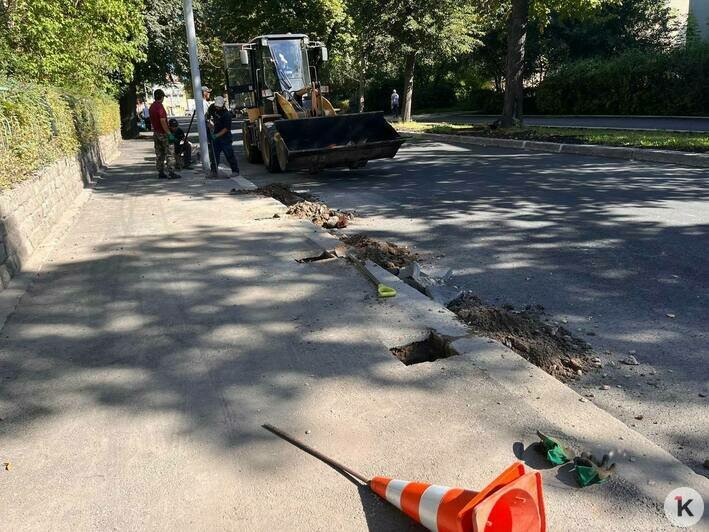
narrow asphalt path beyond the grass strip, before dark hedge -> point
(615, 122)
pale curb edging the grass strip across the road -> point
(699, 160)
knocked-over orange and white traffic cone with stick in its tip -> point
(513, 502)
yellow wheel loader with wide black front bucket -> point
(289, 123)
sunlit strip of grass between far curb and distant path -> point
(661, 140)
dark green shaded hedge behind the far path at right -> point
(635, 83)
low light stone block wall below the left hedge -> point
(30, 210)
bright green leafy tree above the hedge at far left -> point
(84, 45)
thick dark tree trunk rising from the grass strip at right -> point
(514, 86)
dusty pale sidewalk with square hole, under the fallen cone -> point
(172, 320)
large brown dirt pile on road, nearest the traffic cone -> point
(552, 348)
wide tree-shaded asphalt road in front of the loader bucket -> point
(617, 249)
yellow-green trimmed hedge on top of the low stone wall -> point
(40, 124)
